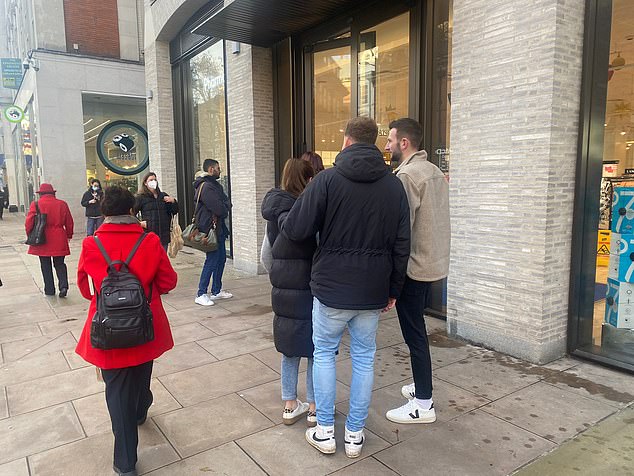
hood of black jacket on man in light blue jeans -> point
(361, 163)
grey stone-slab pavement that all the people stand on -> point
(217, 402)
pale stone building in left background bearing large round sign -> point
(82, 72)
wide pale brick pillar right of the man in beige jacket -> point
(514, 124)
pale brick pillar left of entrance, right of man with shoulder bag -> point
(251, 148)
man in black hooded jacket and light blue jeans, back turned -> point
(361, 214)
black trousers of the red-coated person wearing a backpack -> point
(128, 397)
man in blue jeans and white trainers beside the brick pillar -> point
(212, 209)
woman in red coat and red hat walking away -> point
(58, 230)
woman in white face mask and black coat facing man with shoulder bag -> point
(156, 208)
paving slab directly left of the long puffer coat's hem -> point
(238, 343)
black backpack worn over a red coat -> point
(123, 318)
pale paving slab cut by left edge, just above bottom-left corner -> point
(38, 431)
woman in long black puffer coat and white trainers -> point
(291, 298)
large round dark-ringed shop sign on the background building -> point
(122, 146)
